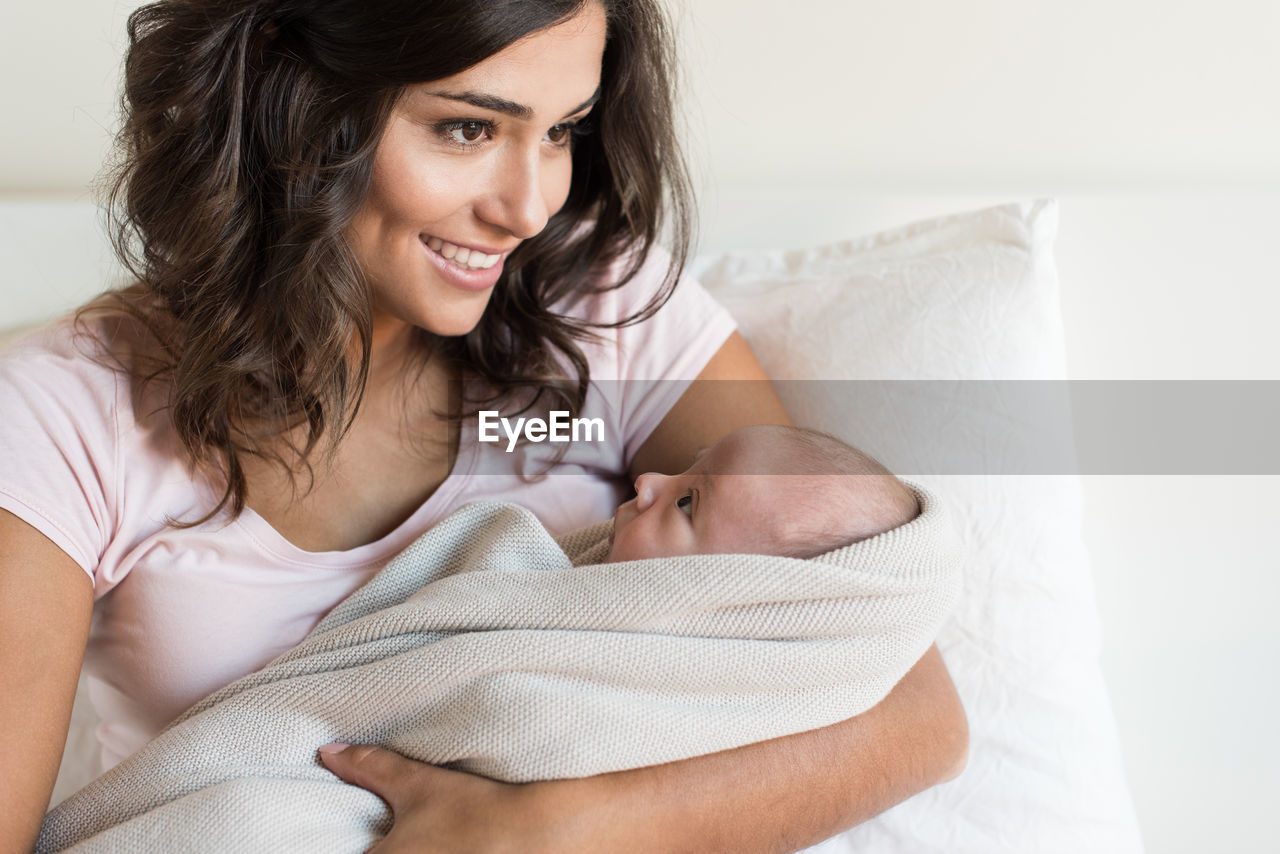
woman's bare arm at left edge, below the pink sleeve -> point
(45, 608)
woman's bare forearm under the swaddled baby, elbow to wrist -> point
(779, 796)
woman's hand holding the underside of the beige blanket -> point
(440, 811)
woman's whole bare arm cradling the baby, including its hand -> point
(771, 797)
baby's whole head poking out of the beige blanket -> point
(764, 491)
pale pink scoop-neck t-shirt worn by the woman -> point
(181, 613)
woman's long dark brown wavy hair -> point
(248, 148)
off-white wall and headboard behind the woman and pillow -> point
(1156, 122)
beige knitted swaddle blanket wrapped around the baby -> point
(490, 647)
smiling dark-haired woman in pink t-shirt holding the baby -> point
(354, 225)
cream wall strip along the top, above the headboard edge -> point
(906, 93)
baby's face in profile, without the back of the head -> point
(708, 510)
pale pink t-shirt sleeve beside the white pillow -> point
(657, 359)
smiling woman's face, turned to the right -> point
(468, 168)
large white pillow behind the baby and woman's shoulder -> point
(964, 298)
